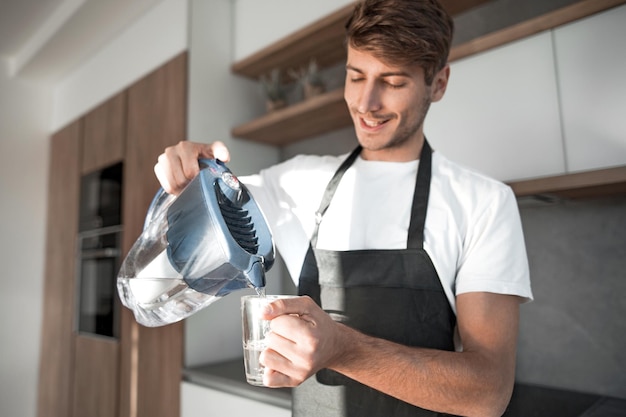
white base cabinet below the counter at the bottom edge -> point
(199, 401)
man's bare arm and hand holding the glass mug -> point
(475, 382)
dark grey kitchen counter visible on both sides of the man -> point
(527, 400)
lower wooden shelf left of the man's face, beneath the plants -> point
(315, 116)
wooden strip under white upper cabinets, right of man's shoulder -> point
(601, 182)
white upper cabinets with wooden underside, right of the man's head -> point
(545, 108)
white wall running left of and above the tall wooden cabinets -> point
(29, 113)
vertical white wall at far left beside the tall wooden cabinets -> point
(24, 115)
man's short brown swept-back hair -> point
(403, 32)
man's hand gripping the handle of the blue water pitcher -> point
(178, 164)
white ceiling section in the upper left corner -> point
(44, 40)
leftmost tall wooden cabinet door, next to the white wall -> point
(57, 343)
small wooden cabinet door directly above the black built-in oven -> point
(104, 134)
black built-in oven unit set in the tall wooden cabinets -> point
(99, 253)
